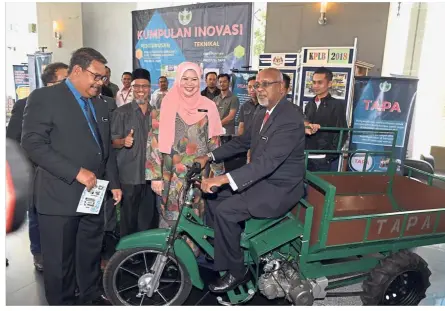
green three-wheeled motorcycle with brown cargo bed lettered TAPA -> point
(351, 227)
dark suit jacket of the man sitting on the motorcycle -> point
(272, 183)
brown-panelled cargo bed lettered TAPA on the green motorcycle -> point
(368, 195)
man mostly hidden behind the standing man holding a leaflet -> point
(53, 74)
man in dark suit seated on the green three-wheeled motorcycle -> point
(267, 187)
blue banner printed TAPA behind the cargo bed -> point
(385, 104)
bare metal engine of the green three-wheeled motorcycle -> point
(280, 279)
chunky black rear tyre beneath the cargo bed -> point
(400, 279)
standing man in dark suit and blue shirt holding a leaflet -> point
(66, 133)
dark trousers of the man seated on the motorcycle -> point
(226, 213)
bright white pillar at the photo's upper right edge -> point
(429, 118)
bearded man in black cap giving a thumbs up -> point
(130, 126)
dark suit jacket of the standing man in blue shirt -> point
(56, 137)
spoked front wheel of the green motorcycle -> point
(128, 275)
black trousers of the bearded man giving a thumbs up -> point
(138, 209)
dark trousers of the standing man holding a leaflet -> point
(71, 250)
